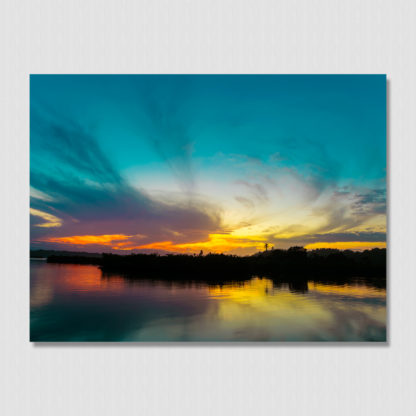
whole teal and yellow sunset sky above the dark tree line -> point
(219, 163)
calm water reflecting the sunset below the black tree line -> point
(79, 303)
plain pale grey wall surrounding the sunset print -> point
(220, 36)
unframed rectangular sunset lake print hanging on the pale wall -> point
(208, 208)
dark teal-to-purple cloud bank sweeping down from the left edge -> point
(92, 198)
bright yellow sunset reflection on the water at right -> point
(285, 314)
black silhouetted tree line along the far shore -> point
(294, 262)
